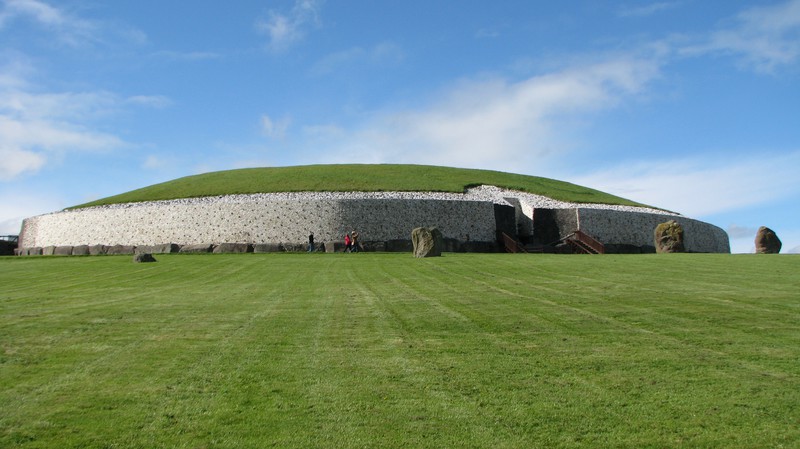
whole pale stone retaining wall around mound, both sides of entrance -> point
(283, 221)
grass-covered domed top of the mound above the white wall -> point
(358, 178)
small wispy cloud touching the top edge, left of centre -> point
(284, 30)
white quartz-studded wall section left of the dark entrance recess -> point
(257, 220)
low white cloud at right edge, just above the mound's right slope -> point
(699, 188)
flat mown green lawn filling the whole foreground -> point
(384, 350)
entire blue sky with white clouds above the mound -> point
(688, 105)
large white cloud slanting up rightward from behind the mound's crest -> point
(496, 123)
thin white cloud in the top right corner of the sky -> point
(765, 38)
